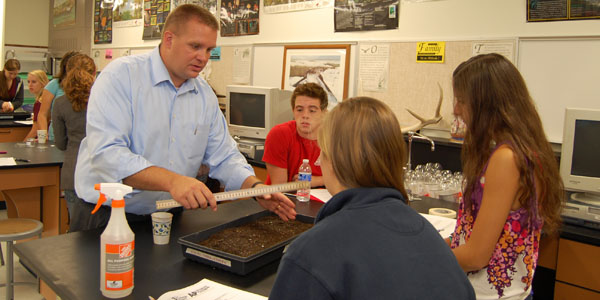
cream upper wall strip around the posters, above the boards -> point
(434, 20)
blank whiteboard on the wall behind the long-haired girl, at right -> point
(560, 73)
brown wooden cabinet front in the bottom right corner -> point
(577, 271)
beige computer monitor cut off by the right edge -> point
(580, 155)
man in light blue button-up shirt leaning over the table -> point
(151, 123)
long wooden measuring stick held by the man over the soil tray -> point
(244, 193)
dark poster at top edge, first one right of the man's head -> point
(239, 17)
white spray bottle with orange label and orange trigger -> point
(116, 244)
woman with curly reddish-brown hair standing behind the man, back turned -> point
(69, 121)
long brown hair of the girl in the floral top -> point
(498, 105)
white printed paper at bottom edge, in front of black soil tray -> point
(209, 290)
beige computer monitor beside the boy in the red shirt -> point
(252, 111)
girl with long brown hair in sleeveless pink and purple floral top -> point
(512, 184)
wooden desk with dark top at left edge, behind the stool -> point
(32, 189)
